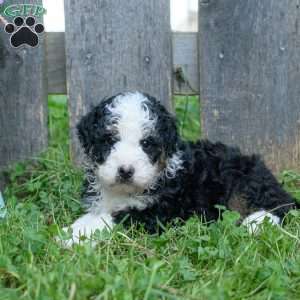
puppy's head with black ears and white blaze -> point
(132, 140)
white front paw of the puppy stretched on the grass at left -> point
(85, 227)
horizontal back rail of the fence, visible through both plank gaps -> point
(185, 58)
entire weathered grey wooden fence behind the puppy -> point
(244, 62)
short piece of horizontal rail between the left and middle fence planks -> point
(56, 63)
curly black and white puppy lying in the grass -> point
(142, 172)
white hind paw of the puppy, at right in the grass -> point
(253, 221)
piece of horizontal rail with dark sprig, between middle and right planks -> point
(185, 63)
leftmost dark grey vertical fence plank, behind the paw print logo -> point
(23, 100)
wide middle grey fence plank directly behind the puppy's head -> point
(113, 46)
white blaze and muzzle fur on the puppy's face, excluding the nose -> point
(131, 119)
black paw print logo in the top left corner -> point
(24, 33)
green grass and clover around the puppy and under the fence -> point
(194, 261)
